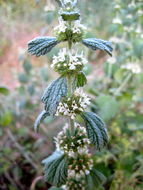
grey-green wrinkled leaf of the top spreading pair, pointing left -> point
(41, 45)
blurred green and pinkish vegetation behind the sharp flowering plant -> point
(115, 84)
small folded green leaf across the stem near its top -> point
(70, 16)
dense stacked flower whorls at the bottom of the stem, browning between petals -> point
(76, 148)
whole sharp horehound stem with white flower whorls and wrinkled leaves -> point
(71, 166)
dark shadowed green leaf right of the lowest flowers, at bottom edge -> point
(95, 180)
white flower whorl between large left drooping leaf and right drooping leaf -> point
(74, 105)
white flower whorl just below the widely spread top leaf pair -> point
(68, 60)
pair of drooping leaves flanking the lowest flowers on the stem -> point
(56, 168)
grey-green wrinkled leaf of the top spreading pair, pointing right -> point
(95, 44)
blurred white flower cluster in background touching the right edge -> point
(134, 68)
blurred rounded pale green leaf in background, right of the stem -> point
(108, 105)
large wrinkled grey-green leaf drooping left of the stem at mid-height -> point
(53, 95)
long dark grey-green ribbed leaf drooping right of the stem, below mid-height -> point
(96, 130)
